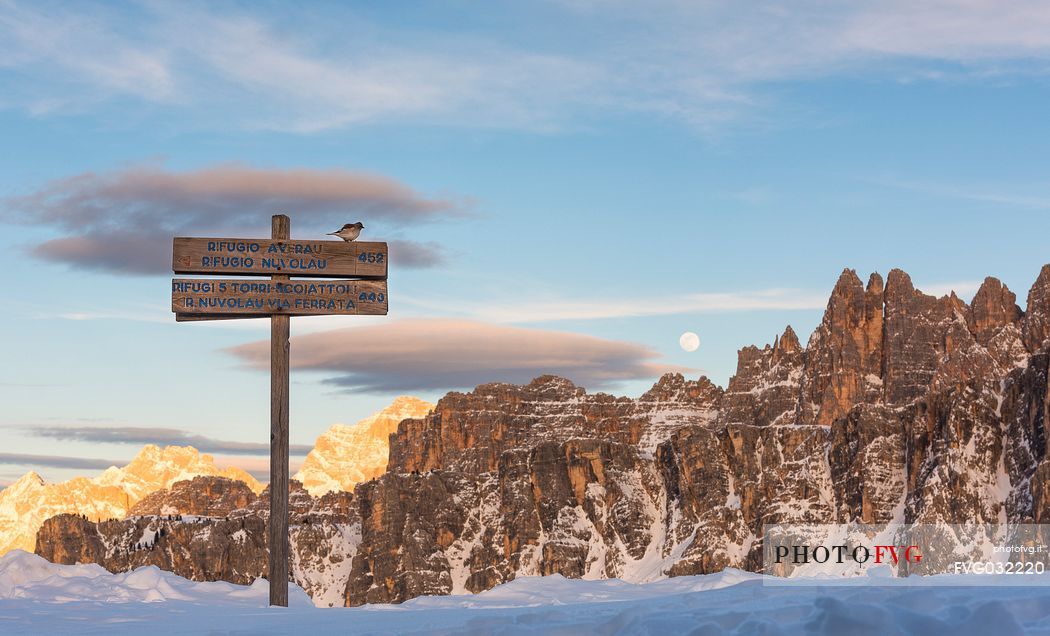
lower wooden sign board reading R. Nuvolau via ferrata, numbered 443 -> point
(219, 299)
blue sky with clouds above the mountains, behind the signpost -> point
(571, 186)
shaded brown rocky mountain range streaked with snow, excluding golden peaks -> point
(901, 408)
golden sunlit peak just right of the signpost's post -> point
(346, 456)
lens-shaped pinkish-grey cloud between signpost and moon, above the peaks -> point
(443, 354)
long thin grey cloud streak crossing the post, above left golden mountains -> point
(162, 437)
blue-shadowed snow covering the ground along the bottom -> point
(40, 598)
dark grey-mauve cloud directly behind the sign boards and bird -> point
(123, 222)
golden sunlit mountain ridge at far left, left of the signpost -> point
(27, 503)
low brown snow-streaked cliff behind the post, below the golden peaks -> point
(216, 529)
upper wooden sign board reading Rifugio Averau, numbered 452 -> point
(267, 258)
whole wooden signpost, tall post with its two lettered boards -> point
(361, 291)
